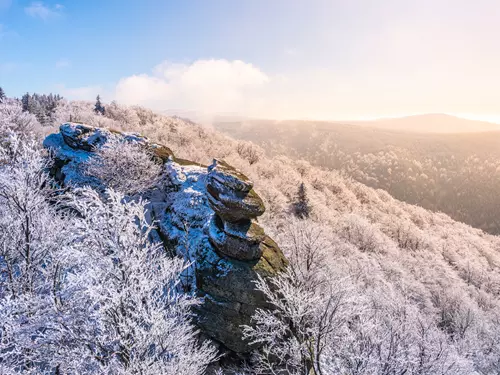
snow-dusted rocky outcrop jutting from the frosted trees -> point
(208, 215)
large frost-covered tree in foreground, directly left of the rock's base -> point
(139, 320)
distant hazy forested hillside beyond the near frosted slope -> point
(457, 174)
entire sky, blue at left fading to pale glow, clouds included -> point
(325, 59)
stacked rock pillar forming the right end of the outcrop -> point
(240, 253)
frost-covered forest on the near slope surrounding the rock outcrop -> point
(373, 286)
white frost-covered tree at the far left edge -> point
(34, 239)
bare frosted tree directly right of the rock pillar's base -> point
(310, 309)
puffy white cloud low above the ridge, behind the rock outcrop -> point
(205, 85)
